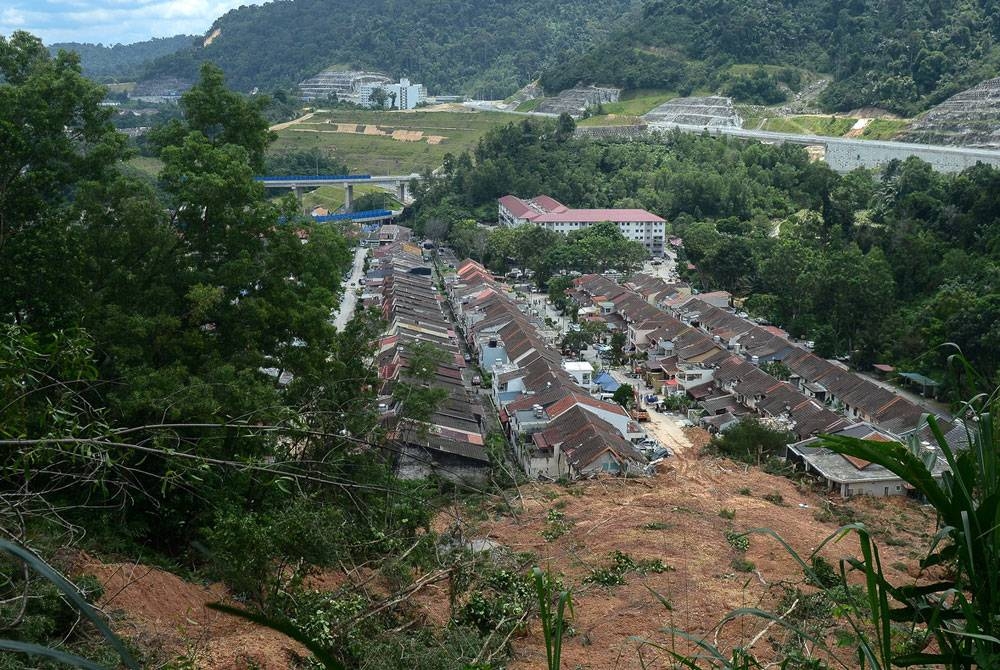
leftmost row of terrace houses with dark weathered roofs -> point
(450, 442)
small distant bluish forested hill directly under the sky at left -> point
(122, 61)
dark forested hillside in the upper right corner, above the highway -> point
(902, 55)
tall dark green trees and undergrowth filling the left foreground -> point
(173, 392)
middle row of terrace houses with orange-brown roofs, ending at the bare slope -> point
(556, 427)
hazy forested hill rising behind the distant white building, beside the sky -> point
(452, 46)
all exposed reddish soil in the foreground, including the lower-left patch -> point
(681, 517)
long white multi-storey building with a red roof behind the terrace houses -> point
(636, 225)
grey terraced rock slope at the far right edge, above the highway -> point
(970, 118)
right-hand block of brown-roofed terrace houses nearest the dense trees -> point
(696, 347)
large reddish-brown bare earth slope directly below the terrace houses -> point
(675, 518)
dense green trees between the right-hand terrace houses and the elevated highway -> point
(878, 267)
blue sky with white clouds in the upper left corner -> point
(112, 21)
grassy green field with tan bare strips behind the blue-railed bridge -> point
(373, 154)
